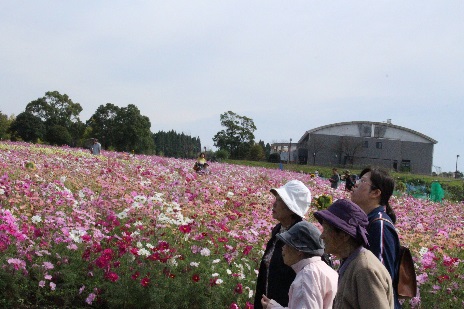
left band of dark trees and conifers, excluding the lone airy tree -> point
(54, 119)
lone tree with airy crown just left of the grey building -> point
(238, 135)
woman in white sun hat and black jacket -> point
(274, 279)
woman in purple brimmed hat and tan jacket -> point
(363, 281)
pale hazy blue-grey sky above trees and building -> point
(291, 66)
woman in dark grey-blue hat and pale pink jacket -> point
(315, 284)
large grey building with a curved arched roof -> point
(362, 143)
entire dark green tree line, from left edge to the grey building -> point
(54, 119)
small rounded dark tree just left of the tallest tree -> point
(27, 127)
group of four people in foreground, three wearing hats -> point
(296, 269)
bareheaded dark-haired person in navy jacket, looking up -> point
(372, 193)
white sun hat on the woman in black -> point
(295, 195)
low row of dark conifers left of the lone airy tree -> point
(173, 144)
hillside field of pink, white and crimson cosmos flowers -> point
(133, 231)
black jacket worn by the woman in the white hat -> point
(280, 277)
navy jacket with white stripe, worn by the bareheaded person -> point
(385, 244)
